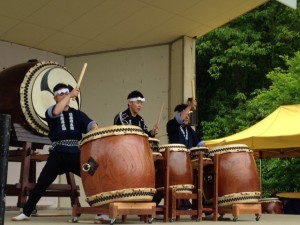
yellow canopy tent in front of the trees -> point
(277, 135)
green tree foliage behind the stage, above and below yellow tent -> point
(245, 70)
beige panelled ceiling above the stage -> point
(75, 27)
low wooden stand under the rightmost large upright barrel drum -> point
(242, 208)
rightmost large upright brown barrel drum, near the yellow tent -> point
(238, 176)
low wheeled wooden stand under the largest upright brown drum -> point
(115, 209)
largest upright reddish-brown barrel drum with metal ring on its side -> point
(117, 165)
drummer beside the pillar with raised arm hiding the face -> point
(179, 130)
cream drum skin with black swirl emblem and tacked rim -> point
(36, 94)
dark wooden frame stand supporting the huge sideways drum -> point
(27, 143)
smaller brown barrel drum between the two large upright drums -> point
(181, 171)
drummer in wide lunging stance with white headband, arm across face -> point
(66, 126)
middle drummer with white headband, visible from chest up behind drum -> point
(131, 115)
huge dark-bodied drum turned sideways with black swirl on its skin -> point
(26, 92)
